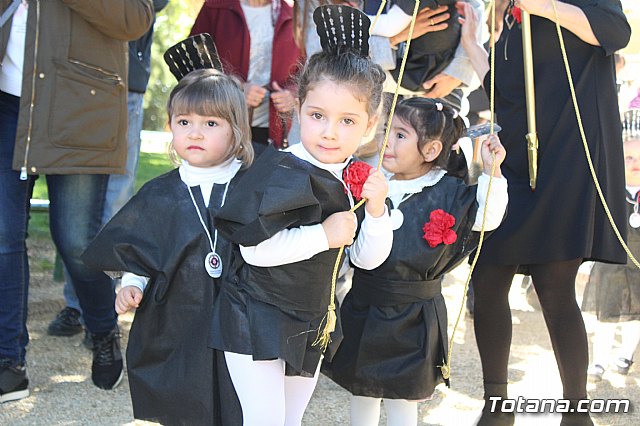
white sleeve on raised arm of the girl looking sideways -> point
(498, 199)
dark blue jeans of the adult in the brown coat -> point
(75, 216)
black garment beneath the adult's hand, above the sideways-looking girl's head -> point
(432, 52)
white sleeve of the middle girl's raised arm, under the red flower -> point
(374, 241)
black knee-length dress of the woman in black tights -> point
(563, 218)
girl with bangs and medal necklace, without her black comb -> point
(166, 240)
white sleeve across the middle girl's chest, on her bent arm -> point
(287, 246)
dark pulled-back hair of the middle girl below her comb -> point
(344, 67)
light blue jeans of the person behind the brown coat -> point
(120, 188)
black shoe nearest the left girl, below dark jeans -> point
(106, 370)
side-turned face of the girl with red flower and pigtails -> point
(402, 156)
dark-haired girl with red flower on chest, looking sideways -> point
(394, 318)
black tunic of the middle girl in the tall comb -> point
(275, 312)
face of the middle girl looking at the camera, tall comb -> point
(333, 122)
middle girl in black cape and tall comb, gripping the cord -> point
(289, 217)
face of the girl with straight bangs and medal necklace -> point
(201, 141)
